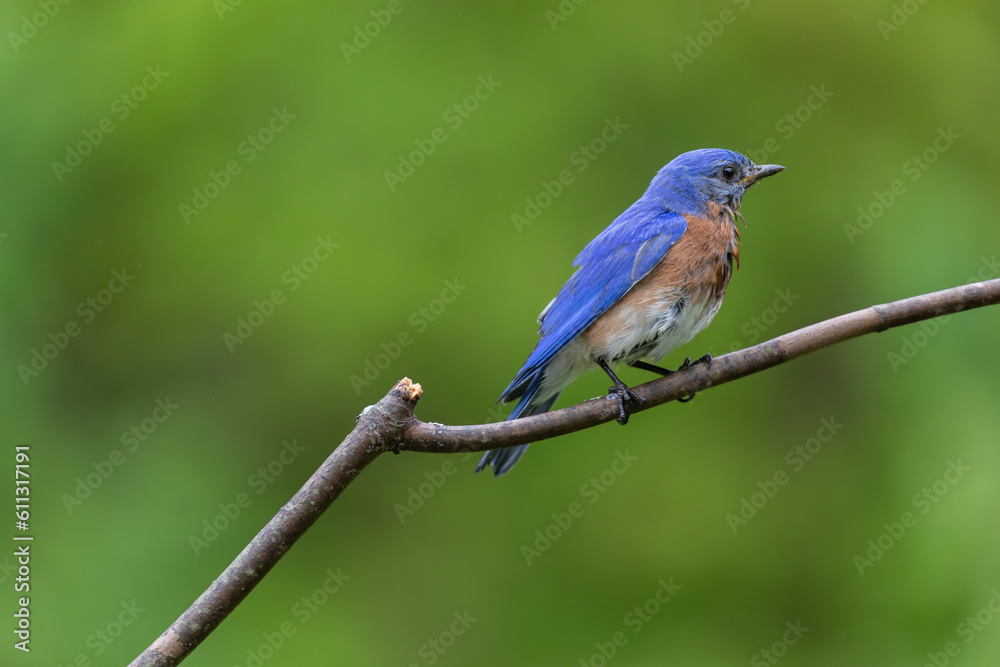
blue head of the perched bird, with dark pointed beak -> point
(708, 181)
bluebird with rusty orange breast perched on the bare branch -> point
(645, 286)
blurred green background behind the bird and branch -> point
(893, 78)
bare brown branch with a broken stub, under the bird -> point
(390, 425)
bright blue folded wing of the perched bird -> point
(608, 267)
